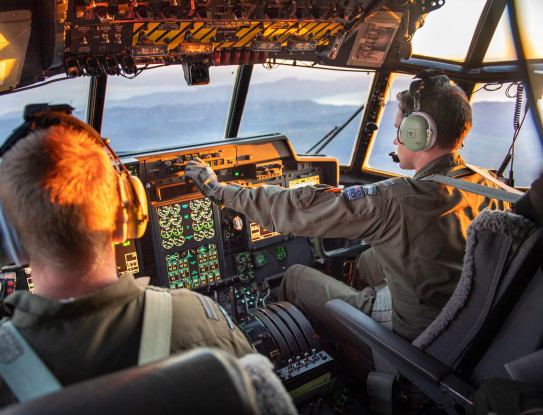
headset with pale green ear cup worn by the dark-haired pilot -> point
(418, 131)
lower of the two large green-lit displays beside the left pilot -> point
(193, 268)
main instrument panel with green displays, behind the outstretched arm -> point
(200, 246)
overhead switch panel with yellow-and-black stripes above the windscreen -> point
(117, 36)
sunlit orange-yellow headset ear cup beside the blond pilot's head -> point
(134, 207)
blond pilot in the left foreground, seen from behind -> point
(61, 195)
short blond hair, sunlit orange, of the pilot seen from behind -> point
(60, 192)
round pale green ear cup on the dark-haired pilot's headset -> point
(418, 131)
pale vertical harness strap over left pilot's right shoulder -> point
(157, 326)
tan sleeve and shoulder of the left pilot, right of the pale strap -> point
(199, 322)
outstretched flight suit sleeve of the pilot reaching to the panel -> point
(319, 211)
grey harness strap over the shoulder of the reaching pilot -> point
(509, 194)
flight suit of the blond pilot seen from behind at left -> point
(100, 333)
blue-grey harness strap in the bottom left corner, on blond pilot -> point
(21, 368)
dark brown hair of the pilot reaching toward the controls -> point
(446, 104)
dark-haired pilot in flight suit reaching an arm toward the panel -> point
(416, 228)
